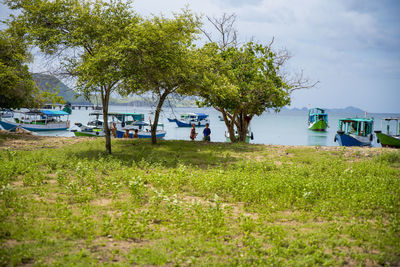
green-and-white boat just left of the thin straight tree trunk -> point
(94, 128)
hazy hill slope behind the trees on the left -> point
(48, 82)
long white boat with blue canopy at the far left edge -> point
(36, 120)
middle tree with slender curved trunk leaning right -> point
(167, 59)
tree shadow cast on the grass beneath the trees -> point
(168, 153)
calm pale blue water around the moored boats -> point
(286, 128)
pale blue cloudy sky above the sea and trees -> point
(351, 47)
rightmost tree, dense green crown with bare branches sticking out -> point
(244, 81)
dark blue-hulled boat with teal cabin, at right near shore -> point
(355, 132)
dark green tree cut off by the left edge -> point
(17, 88)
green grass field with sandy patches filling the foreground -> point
(64, 202)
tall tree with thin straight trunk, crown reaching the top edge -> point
(92, 35)
